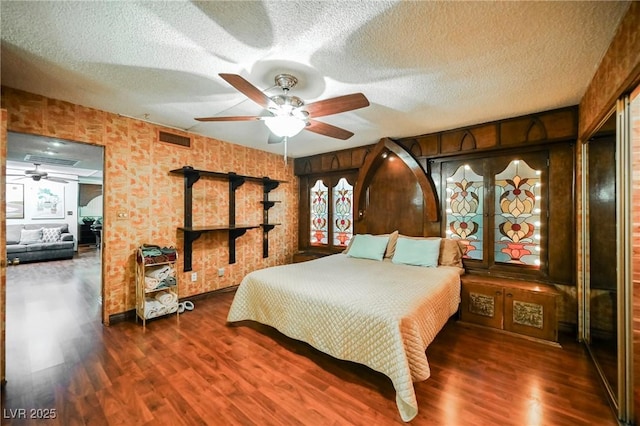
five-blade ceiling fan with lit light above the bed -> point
(287, 115)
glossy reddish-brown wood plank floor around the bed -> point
(198, 370)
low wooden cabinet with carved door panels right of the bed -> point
(520, 307)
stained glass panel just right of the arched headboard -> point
(464, 210)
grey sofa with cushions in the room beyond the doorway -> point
(33, 242)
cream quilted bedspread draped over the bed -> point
(379, 313)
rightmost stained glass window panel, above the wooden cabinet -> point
(517, 215)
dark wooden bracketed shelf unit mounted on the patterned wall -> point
(191, 233)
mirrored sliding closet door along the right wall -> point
(608, 212)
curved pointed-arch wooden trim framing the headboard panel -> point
(370, 166)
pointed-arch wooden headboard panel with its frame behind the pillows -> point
(393, 193)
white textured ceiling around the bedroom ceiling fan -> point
(424, 66)
